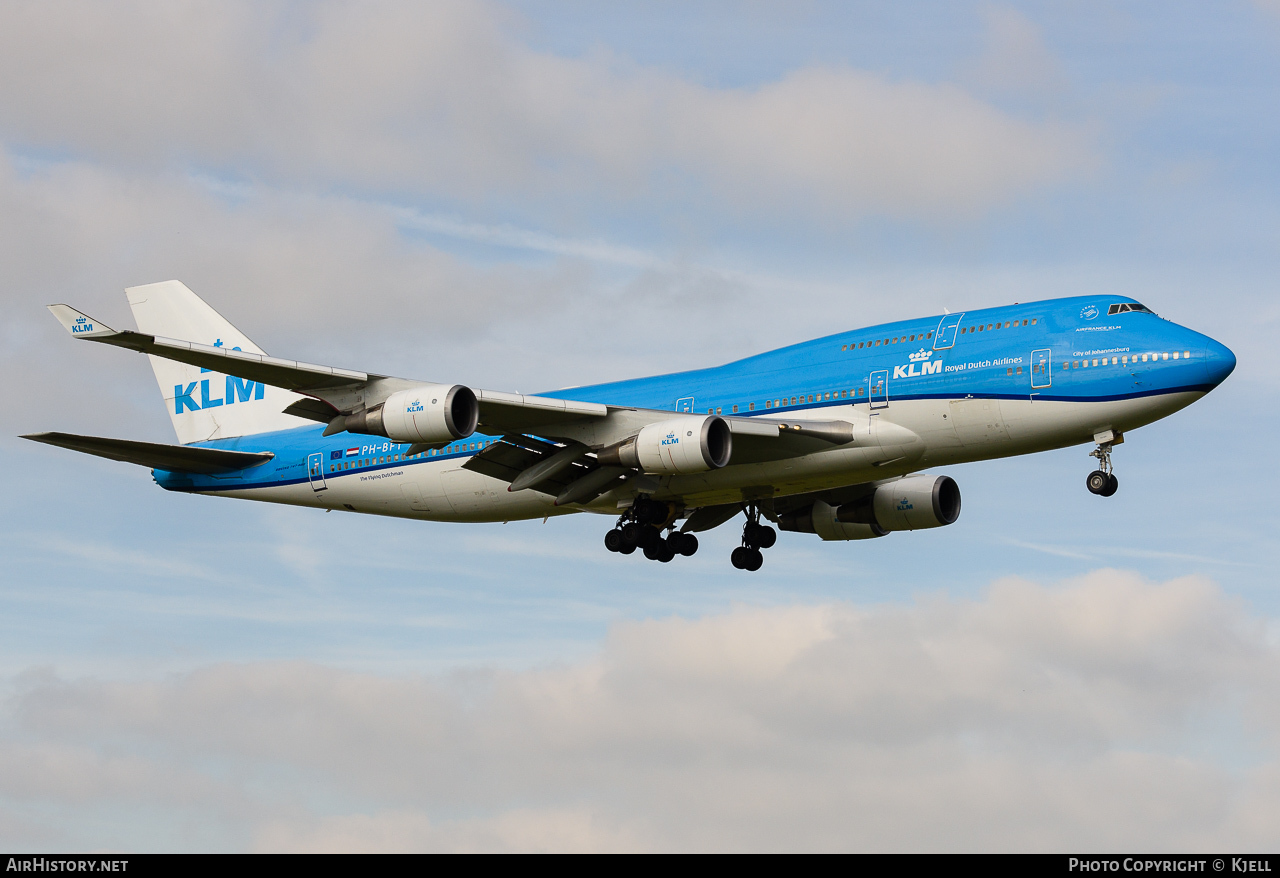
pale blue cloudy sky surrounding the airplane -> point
(529, 196)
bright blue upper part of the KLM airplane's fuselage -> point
(1081, 353)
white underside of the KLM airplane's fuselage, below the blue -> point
(945, 432)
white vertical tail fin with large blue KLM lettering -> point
(207, 405)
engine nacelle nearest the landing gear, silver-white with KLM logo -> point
(694, 443)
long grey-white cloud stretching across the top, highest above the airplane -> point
(438, 99)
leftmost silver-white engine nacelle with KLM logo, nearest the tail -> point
(431, 414)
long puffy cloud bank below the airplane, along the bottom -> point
(1081, 716)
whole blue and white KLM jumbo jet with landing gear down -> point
(829, 437)
